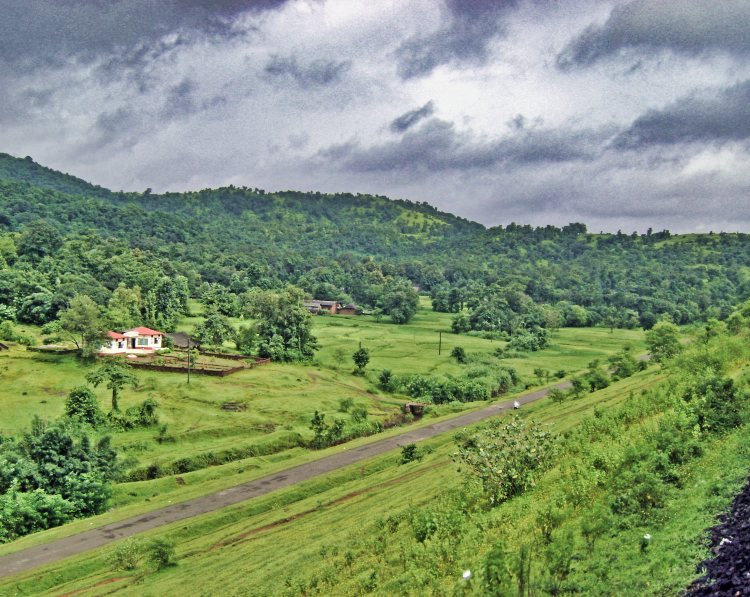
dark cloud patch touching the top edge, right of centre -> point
(465, 37)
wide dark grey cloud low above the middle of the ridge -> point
(437, 146)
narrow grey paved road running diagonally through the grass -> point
(48, 553)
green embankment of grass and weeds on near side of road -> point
(640, 470)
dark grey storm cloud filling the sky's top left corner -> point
(36, 33)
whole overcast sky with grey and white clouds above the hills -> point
(622, 114)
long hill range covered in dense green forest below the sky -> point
(91, 240)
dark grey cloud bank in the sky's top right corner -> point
(688, 27)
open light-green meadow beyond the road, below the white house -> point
(280, 399)
